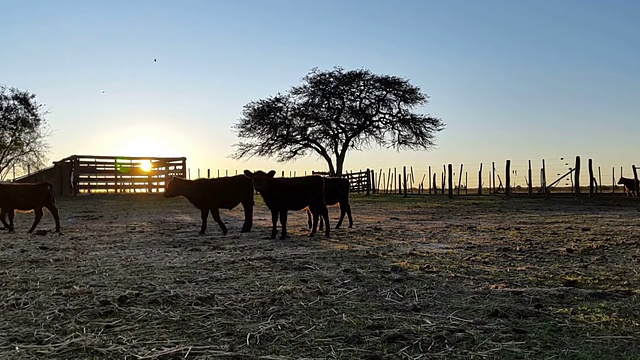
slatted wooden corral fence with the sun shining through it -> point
(110, 174)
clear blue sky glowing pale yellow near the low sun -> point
(520, 80)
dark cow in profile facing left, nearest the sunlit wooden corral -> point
(210, 195)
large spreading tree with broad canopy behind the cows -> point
(333, 112)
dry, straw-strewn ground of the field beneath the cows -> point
(418, 277)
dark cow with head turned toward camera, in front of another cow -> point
(284, 194)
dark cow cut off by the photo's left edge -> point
(27, 196)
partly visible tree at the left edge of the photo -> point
(23, 129)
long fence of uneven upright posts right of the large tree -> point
(502, 180)
